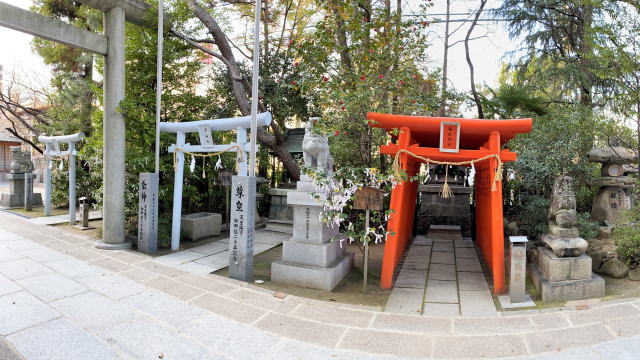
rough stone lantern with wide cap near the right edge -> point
(614, 185)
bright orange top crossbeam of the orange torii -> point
(473, 132)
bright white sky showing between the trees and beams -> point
(487, 53)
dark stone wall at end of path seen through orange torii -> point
(435, 210)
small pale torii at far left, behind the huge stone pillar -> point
(52, 149)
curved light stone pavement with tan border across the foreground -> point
(61, 298)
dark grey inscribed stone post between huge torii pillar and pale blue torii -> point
(148, 212)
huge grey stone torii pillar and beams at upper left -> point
(111, 46)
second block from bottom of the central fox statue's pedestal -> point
(312, 254)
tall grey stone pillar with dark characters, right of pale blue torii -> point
(243, 207)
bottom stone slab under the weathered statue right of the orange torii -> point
(566, 290)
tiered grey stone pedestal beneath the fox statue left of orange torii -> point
(315, 256)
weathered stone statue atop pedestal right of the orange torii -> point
(562, 210)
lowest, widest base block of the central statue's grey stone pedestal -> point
(314, 277)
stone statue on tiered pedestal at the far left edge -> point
(21, 168)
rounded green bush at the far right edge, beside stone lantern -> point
(627, 237)
